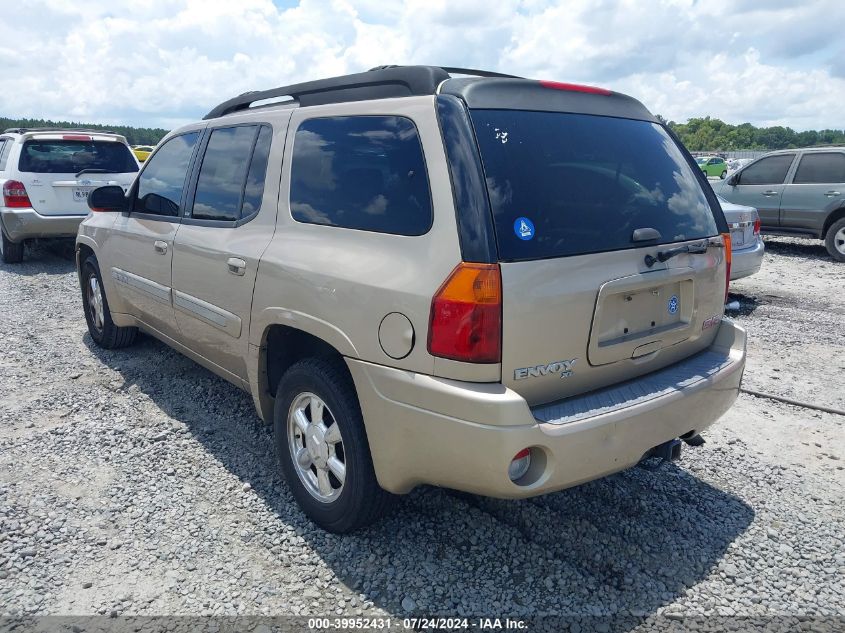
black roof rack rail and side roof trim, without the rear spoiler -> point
(377, 83)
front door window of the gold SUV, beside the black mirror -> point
(160, 184)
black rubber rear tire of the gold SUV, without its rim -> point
(361, 500)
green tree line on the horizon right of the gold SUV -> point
(706, 134)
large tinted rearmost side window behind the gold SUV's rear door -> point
(361, 172)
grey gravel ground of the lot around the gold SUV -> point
(137, 483)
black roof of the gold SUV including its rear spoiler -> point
(485, 89)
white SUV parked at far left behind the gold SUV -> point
(46, 175)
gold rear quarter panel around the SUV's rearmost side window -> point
(339, 284)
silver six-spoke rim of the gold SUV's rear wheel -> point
(316, 447)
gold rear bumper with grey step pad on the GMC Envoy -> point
(426, 430)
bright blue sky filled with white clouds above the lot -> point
(163, 63)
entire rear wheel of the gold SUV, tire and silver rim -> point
(322, 447)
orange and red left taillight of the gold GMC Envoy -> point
(466, 315)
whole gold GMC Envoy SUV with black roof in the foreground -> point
(430, 275)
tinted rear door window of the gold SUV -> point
(223, 172)
